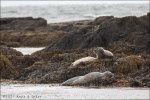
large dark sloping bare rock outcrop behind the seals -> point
(105, 30)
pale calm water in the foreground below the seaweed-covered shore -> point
(48, 91)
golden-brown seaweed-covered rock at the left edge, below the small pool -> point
(6, 67)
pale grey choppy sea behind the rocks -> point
(72, 12)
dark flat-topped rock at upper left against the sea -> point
(24, 23)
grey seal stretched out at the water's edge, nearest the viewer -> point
(88, 78)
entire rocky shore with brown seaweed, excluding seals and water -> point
(128, 38)
